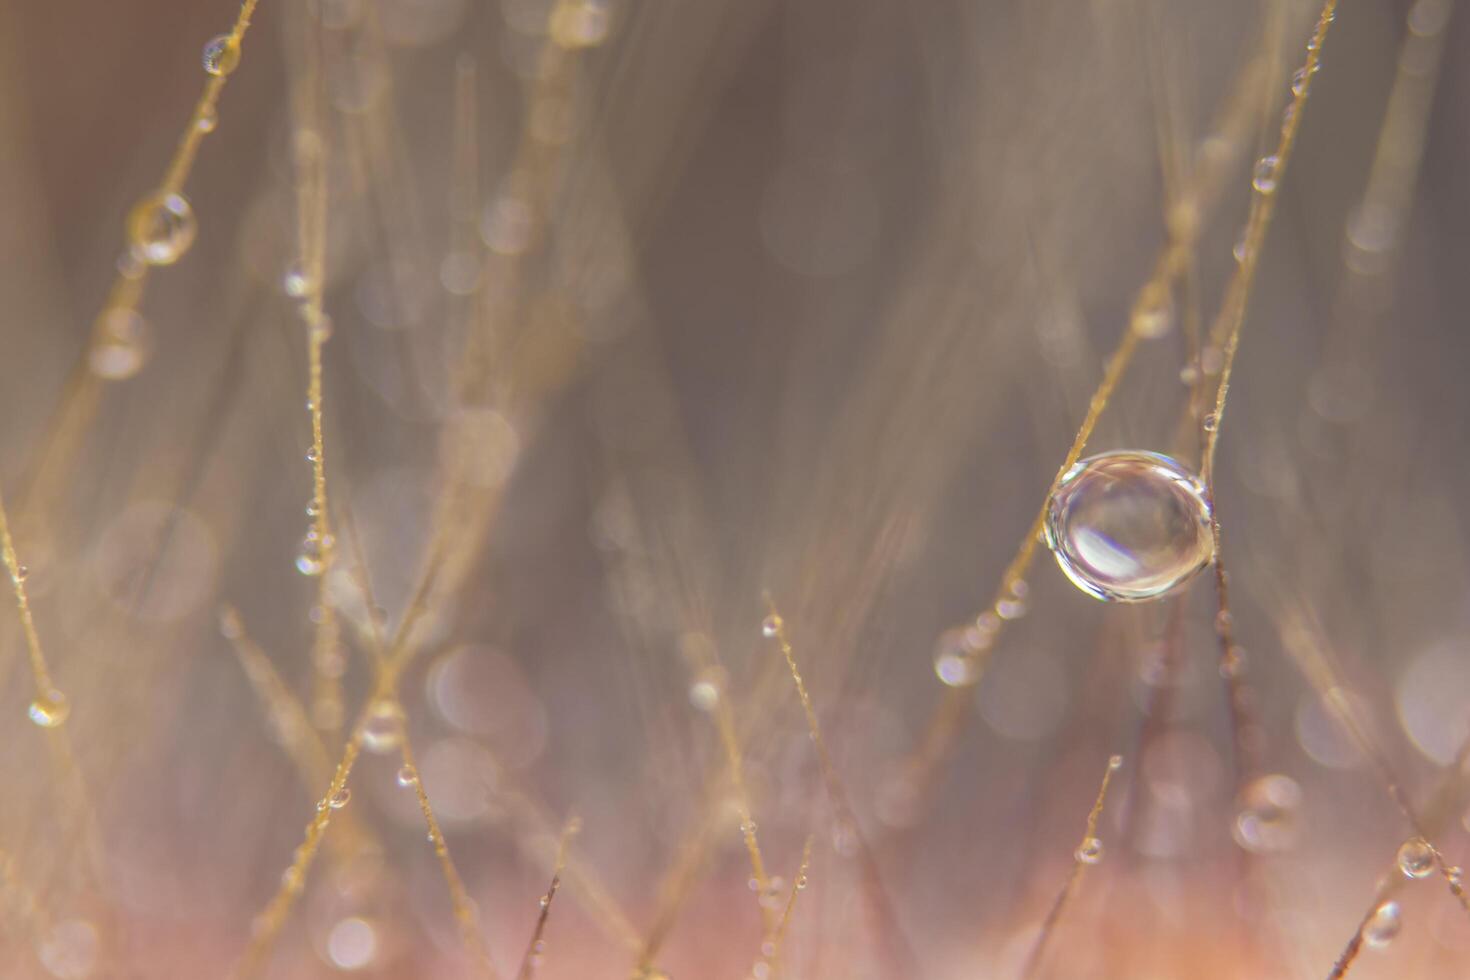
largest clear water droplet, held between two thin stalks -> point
(1130, 527)
